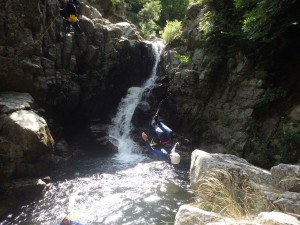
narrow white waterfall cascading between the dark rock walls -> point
(121, 124)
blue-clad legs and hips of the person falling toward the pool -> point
(164, 133)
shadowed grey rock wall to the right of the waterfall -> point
(232, 102)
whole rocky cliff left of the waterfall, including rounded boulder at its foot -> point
(51, 78)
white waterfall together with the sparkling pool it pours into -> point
(129, 188)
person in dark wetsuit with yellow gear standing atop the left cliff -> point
(68, 10)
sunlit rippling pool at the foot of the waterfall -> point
(105, 192)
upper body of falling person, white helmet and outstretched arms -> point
(174, 157)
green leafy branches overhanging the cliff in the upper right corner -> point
(252, 20)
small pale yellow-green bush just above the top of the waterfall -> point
(172, 30)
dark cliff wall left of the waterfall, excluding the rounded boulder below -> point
(68, 72)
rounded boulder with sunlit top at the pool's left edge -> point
(26, 144)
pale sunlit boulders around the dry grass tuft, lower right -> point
(285, 204)
